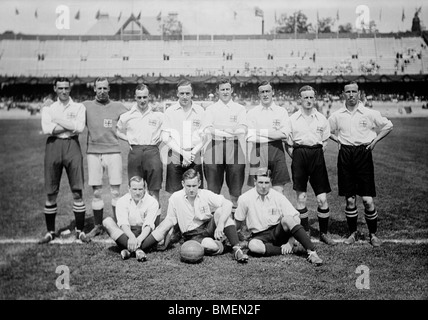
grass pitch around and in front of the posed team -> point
(395, 270)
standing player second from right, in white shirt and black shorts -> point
(307, 141)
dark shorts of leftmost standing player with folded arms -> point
(59, 154)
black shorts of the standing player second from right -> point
(309, 165)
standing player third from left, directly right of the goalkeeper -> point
(141, 128)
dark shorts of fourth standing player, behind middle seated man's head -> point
(174, 172)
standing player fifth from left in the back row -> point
(225, 121)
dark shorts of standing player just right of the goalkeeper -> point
(144, 161)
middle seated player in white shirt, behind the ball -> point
(201, 215)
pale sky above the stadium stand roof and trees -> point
(205, 16)
